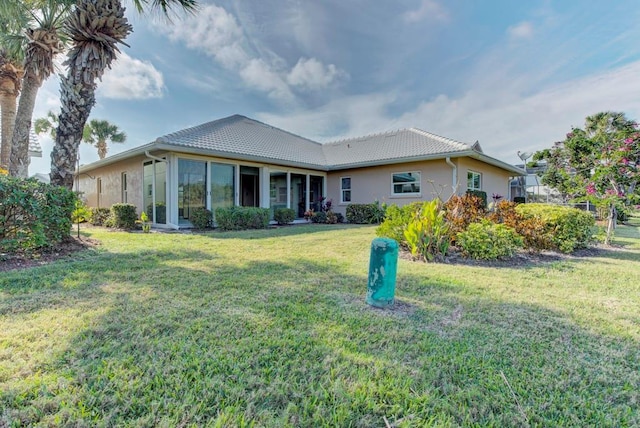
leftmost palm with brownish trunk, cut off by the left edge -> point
(10, 77)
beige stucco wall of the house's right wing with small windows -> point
(374, 183)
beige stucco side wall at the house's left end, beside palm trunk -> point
(111, 177)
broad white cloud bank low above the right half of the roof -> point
(504, 122)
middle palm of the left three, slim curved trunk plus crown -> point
(43, 42)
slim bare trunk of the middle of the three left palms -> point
(19, 160)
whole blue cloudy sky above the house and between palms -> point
(513, 75)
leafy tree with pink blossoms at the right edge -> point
(600, 163)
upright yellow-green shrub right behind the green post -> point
(427, 234)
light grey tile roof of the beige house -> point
(239, 137)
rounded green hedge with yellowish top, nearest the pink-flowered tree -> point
(568, 228)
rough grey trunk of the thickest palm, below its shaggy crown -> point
(78, 97)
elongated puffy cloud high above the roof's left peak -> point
(216, 33)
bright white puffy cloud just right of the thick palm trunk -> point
(130, 78)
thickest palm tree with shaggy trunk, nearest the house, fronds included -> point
(95, 27)
